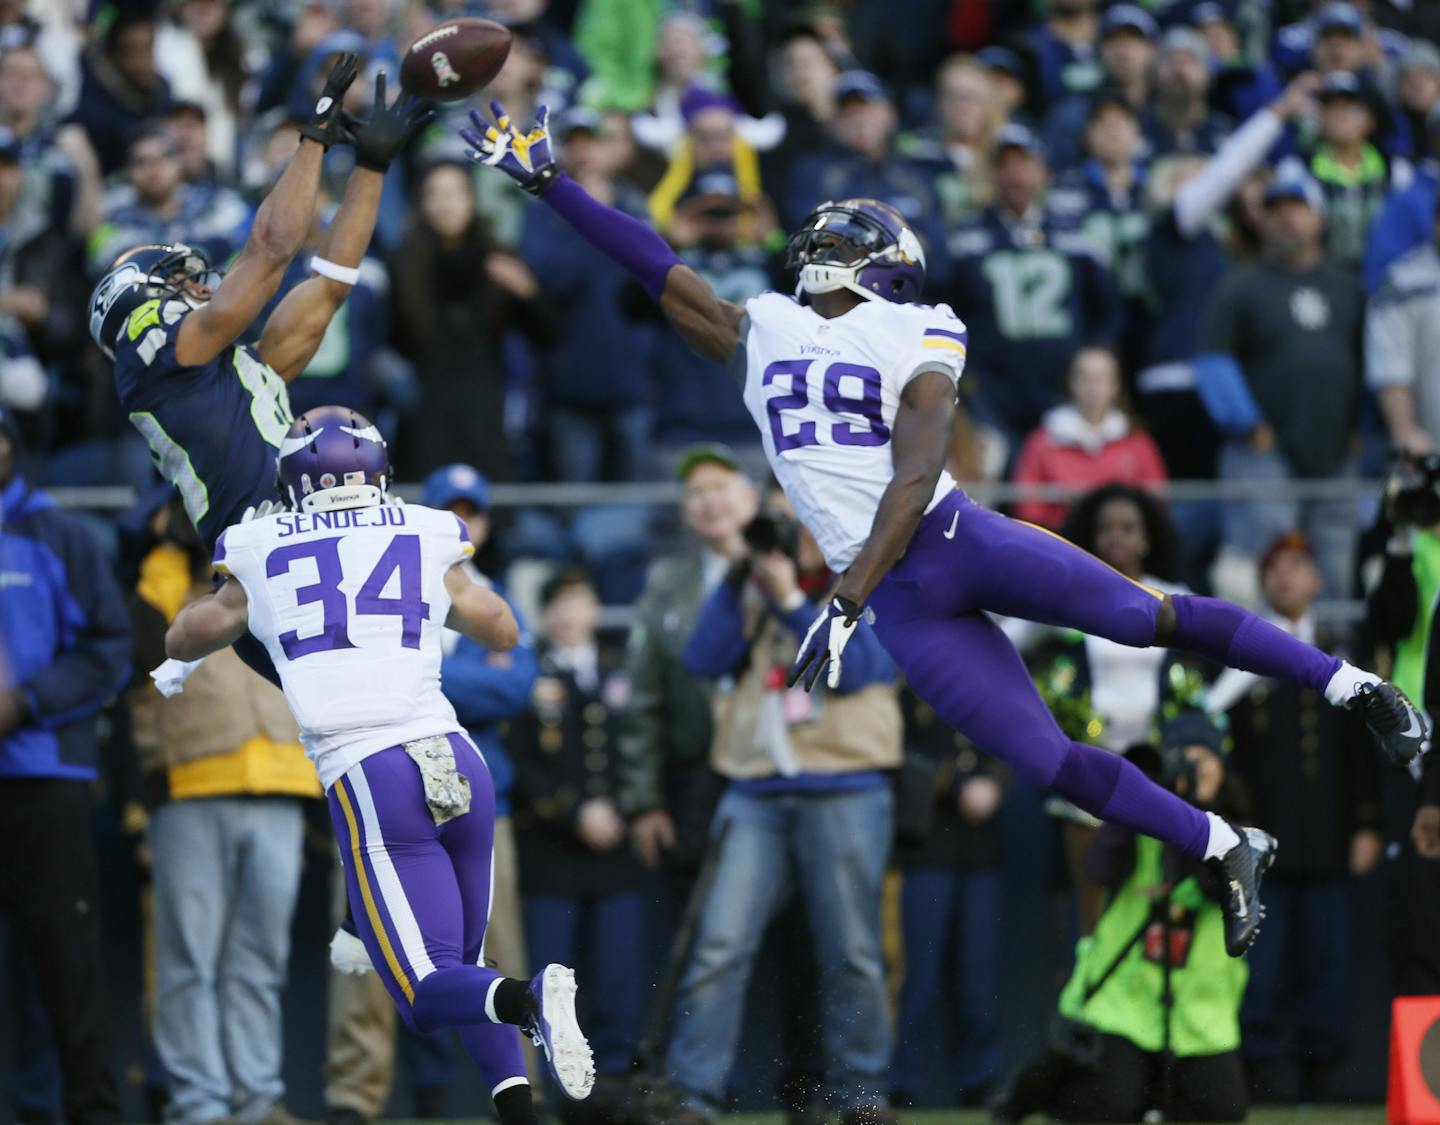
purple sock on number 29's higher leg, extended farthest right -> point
(1238, 639)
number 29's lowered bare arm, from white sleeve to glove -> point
(921, 447)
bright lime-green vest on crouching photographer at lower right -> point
(1207, 986)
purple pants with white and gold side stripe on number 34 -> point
(420, 897)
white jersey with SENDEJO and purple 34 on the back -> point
(351, 607)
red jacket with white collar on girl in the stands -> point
(1068, 450)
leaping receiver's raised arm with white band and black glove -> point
(299, 323)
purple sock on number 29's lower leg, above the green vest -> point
(1110, 787)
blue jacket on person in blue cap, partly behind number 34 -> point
(487, 689)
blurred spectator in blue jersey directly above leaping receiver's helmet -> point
(156, 207)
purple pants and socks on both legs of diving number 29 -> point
(966, 560)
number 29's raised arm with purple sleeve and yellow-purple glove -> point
(711, 326)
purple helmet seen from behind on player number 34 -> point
(333, 459)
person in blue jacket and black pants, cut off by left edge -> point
(64, 655)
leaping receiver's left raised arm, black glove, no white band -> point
(280, 230)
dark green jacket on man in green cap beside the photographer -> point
(666, 727)
